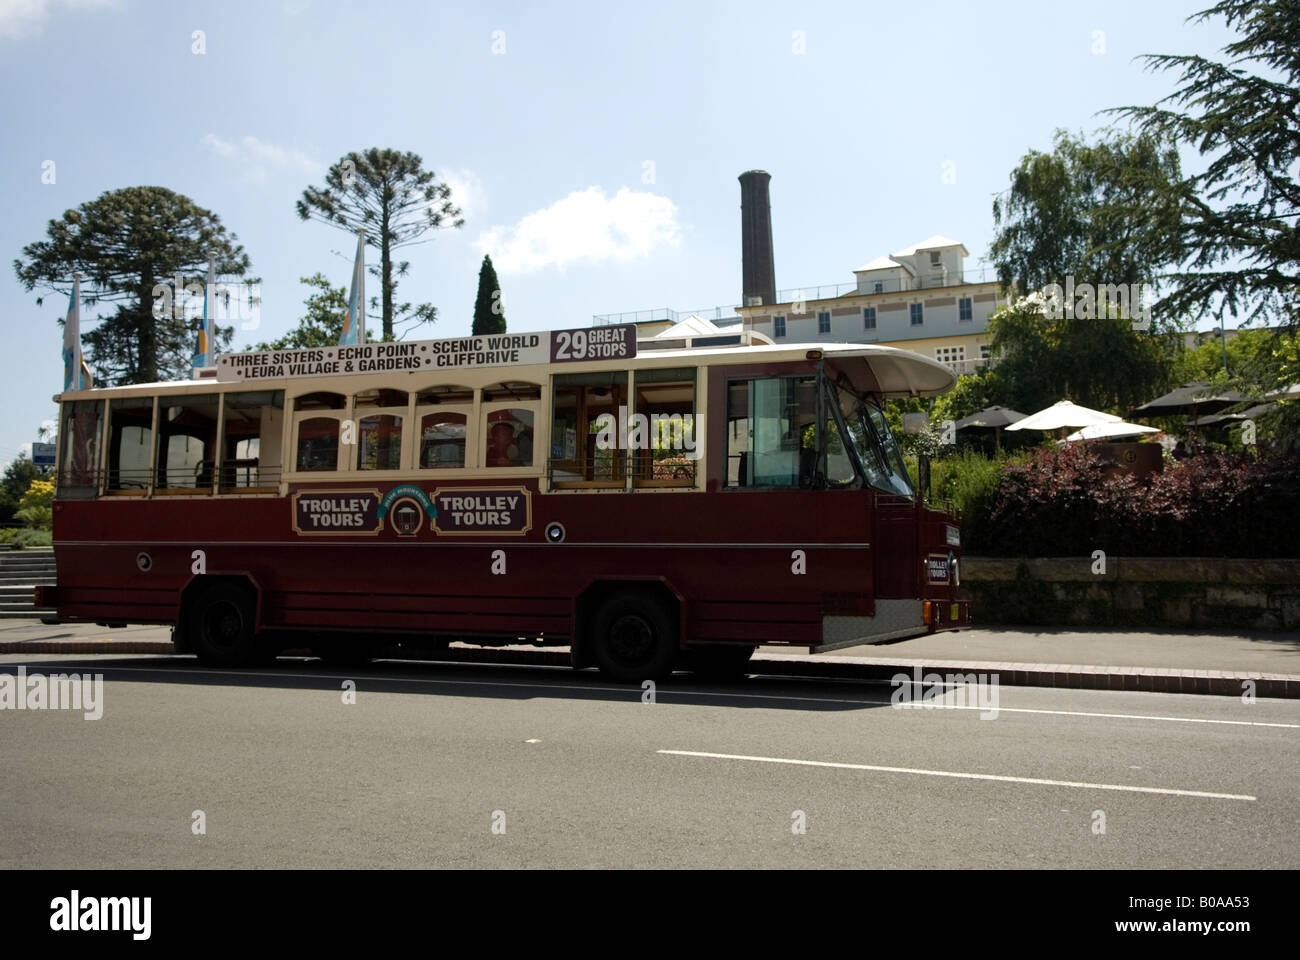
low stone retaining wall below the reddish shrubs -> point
(1136, 593)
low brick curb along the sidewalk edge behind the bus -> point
(882, 669)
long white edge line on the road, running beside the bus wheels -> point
(669, 691)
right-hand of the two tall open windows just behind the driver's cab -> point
(666, 409)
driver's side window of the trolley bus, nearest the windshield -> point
(772, 434)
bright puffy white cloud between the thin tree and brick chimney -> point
(586, 227)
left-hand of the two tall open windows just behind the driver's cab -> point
(587, 449)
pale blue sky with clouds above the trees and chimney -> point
(595, 148)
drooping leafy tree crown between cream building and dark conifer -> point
(1106, 213)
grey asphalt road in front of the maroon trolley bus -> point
(577, 772)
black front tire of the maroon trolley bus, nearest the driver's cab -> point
(635, 638)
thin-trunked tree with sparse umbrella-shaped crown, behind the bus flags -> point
(396, 201)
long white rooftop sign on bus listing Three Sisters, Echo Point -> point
(616, 343)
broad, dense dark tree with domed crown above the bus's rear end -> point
(125, 244)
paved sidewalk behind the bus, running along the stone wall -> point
(1216, 663)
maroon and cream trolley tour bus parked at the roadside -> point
(652, 505)
